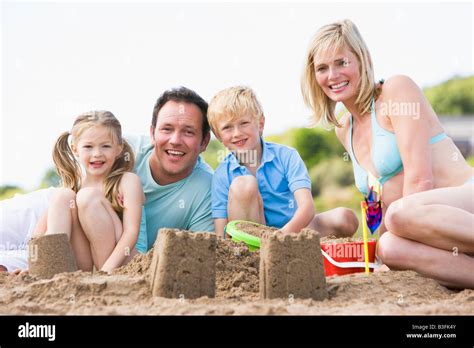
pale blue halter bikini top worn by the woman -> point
(386, 156)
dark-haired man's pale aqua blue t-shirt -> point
(185, 204)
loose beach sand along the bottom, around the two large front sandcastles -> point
(127, 292)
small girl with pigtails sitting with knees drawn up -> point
(99, 207)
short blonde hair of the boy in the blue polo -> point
(232, 103)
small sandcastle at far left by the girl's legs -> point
(49, 255)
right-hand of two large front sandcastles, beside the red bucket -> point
(292, 266)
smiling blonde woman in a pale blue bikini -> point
(393, 135)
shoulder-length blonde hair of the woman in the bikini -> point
(336, 36)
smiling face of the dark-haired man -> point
(178, 141)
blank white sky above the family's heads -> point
(61, 59)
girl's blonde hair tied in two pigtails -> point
(68, 167)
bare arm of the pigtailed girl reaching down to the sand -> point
(133, 199)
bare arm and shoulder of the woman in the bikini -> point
(411, 125)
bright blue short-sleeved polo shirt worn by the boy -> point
(281, 173)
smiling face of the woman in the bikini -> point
(337, 73)
